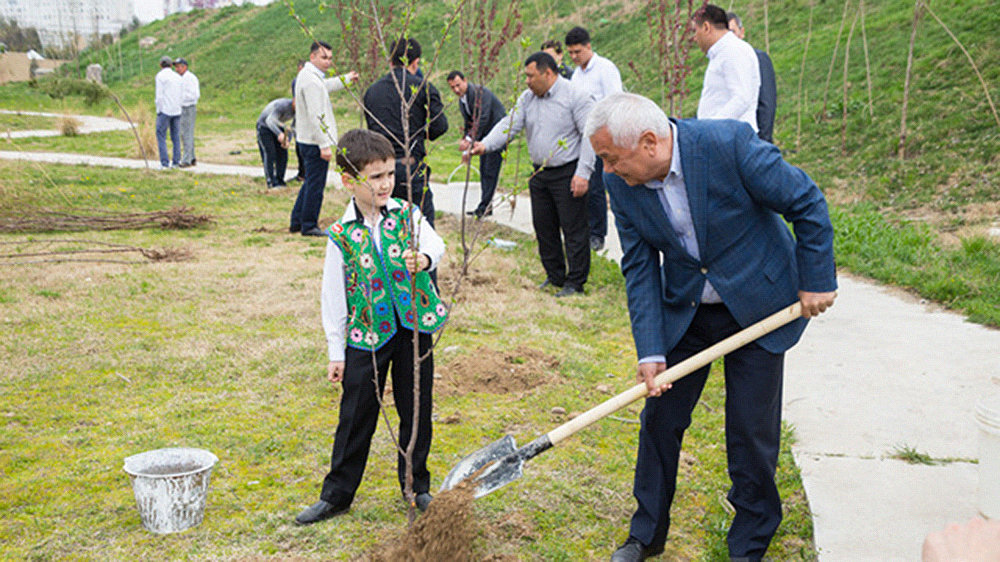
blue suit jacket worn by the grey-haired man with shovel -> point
(739, 188)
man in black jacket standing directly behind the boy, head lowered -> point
(425, 118)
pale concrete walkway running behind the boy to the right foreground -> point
(879, 373)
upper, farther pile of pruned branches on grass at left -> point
(49, 221)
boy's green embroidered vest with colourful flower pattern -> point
(378, 284)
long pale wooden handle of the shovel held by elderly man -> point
(678, 371)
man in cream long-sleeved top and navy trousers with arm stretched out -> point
(316, 134)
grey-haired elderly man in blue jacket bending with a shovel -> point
(700, 208)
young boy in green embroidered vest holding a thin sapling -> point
(367, 303)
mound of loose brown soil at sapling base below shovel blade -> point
(444, 532)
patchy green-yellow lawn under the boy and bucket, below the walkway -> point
(225, 352)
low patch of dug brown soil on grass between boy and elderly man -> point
(496, 372)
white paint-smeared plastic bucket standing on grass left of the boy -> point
(170, 486)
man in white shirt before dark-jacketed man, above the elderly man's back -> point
(732, 79)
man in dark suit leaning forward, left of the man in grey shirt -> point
(481, 110)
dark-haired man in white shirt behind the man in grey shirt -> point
(599, 77)
